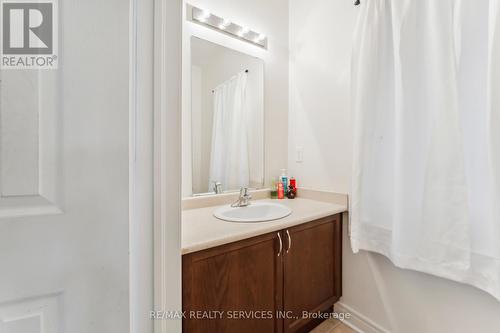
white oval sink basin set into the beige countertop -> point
(255, 212)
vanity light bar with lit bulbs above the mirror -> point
(207, 19)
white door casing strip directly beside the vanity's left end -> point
(167, 161)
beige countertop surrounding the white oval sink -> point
(201, 230)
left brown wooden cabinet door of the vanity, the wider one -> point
(244, 276)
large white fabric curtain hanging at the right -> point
(426, 101)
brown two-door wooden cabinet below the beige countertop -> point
(264, 284)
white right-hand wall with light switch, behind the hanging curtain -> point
(398, 300)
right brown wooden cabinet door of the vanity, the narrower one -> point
(312, 271)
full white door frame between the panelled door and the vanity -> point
(155, 36)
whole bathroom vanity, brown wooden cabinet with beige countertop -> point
(262, 277)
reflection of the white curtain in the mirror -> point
(229, 162)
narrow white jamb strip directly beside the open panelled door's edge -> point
(141, 286)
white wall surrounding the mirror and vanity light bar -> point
(271, 19)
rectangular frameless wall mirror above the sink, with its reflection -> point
(227, 118)
